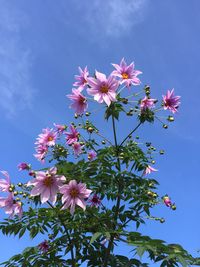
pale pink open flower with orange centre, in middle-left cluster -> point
(47, 137)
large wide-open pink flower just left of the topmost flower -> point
(103, 89)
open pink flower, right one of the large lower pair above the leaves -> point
(74, 194)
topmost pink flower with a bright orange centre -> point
(127, 73)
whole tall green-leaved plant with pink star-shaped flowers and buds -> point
(99, 191)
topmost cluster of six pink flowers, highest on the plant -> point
(107, 89)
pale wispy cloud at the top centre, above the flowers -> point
(113, 18)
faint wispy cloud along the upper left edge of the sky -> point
(15, 89)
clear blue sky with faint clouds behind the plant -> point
(43, 43)
